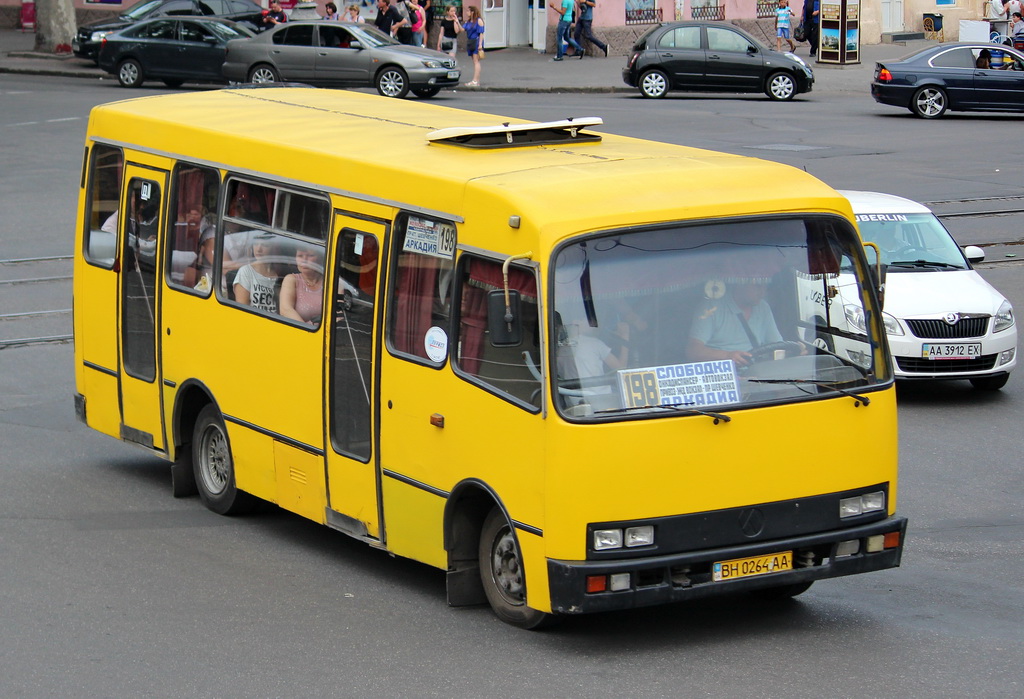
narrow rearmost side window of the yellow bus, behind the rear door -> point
(105, 200)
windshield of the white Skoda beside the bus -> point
(912, 242)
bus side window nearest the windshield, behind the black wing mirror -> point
(510, 370)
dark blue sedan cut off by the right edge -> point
(964, 77)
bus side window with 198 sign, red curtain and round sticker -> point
(422, 294)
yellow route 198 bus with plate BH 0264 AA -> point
(577, 372)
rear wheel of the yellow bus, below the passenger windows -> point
(215, 467)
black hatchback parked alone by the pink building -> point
(712, 57)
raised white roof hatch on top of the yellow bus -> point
(510, 136)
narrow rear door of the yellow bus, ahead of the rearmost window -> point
(139, 325)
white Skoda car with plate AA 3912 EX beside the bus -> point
(943, 319)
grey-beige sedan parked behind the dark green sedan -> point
(339, 55)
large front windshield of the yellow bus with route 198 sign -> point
(712, 318)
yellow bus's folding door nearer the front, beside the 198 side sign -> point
(354, 476)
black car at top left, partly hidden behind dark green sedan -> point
(89, 38)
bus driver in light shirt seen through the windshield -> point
(731, 327)
